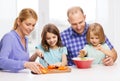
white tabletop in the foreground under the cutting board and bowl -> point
(95, 73)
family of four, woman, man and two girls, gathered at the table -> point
(57, 48)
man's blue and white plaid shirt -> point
(75, 42)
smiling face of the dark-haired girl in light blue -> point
(51, 39)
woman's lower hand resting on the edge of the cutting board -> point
(33, 66)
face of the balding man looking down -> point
(77, 21)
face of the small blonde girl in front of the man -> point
(94, 39)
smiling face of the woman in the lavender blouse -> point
(27, 26)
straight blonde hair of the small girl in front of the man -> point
(97, 30)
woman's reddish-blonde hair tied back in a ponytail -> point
(25, 14)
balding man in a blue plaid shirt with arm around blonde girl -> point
(74, 38)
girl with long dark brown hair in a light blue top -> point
(51, 47)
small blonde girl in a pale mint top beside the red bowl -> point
(96, 47)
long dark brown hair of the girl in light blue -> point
(51, 28)
